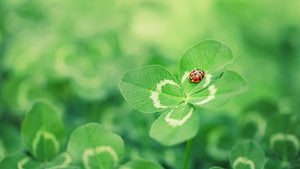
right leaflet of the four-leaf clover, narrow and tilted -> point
(229, 85)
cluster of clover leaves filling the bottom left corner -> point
(90, 146)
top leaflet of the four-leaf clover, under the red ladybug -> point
(210, 56)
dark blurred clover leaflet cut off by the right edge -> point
(282, 142)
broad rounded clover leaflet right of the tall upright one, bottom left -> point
(91, 146)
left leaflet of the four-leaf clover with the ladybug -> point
(151, 89)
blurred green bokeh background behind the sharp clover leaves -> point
(73, 53)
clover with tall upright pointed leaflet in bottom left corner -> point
(43, 135)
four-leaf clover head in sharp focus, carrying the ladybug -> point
(154, 89)
